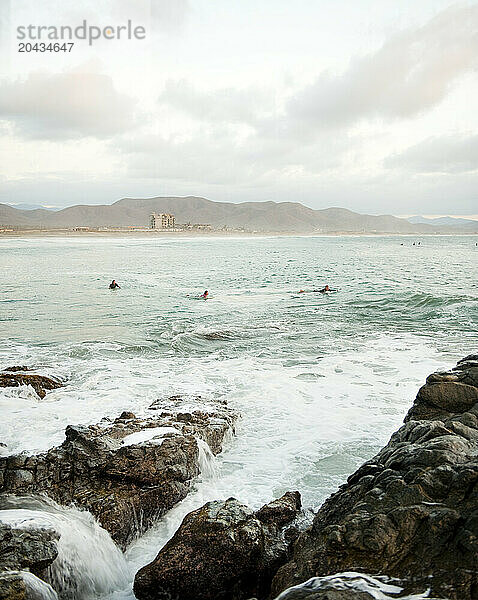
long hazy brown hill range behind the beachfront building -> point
(253, 216)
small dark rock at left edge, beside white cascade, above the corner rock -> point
(32, 549)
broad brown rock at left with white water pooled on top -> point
(127, 473)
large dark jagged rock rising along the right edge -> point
(411, 512)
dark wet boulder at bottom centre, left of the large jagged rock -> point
(221, 551)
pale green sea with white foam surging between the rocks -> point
(320, 380)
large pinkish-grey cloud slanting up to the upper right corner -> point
(410, 73)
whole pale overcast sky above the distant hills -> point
(365, 104)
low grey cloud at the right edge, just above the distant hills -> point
(446, 154)
